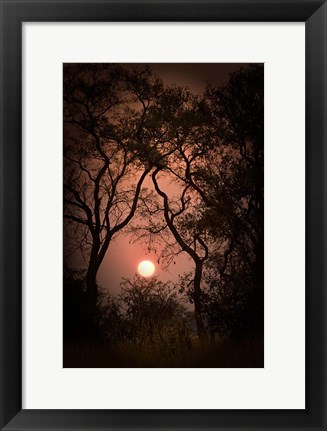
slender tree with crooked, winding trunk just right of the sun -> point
(181, 209)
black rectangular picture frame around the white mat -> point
(13, 14)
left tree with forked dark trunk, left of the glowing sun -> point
(106, 155)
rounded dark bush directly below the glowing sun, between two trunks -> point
(147, 313)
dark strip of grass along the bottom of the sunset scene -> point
(222, 353)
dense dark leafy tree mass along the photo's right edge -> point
(234, 196)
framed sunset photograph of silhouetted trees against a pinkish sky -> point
(163, 215)
